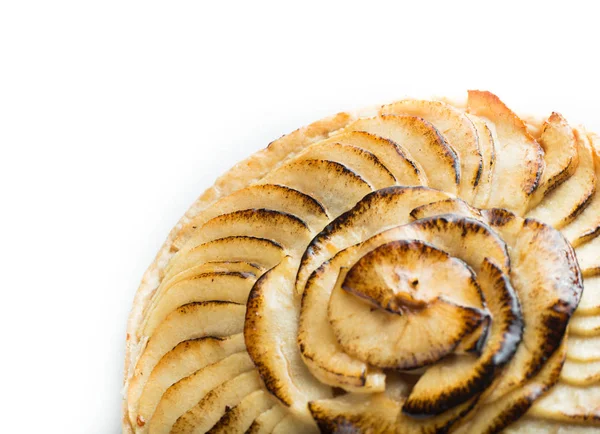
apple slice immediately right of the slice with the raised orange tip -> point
(560, 155)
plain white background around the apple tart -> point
(115, 116)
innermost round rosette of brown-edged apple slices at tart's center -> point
(405, 305)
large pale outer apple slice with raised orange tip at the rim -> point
(513, 183)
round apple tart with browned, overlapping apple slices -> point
(416, 269)
